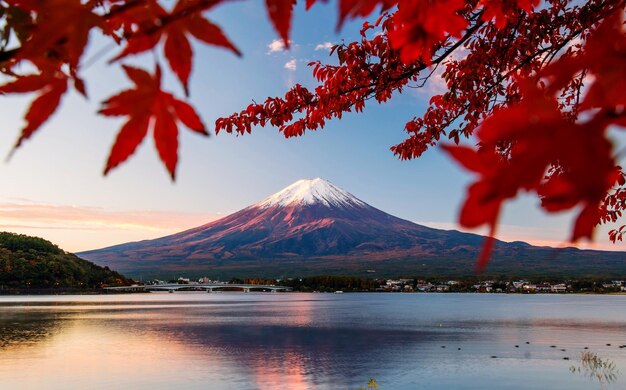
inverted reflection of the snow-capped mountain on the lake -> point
(267, 354)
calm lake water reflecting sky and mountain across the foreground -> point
(308, 341)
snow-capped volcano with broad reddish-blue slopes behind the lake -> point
(315, 227)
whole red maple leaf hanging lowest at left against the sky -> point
(148, 106)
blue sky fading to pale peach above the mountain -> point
(53, 186)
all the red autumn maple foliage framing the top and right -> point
(538, 89)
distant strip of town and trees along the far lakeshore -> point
(412, 285)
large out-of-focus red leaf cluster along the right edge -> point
(567, 161)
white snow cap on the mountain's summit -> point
(312, 191)
